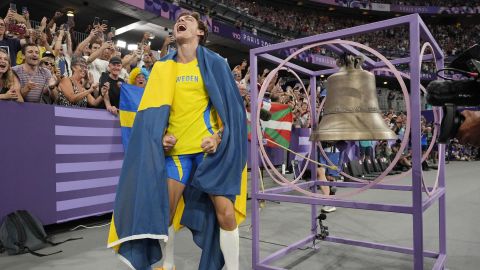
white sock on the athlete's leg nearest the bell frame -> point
(230, 246)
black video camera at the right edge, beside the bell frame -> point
(456, 92)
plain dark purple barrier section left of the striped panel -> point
(27, 159)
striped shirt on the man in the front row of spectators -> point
(40, 77)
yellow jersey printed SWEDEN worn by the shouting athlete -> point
(192, 116)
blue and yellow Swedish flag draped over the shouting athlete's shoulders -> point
(140, 217)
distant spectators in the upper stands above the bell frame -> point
(294, 22)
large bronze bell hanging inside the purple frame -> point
(351, 109)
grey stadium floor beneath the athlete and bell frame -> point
(285, 223)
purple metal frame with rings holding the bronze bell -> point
(419, 204)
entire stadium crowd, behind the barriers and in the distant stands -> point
(44, 64)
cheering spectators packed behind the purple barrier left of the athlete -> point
(44, 64)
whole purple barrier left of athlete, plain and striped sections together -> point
(59, 163)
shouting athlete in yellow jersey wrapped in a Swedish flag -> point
(186, 159)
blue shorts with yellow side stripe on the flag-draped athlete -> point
(180, 167)
